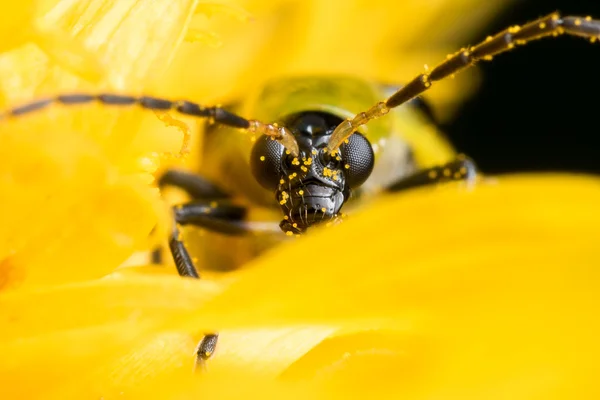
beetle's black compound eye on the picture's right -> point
(358, 159)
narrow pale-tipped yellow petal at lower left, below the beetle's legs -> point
(114, 299)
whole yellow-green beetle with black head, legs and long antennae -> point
(320, 151)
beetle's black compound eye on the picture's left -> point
(265, 162)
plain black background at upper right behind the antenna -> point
(538, 108)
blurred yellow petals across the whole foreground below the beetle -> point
(484, 293)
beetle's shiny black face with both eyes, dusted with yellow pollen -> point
(312, 187)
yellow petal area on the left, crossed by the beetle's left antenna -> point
(78, 180)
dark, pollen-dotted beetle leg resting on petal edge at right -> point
(460, 169)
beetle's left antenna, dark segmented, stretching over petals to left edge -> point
(215, 114)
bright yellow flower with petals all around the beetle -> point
(437, 293)
